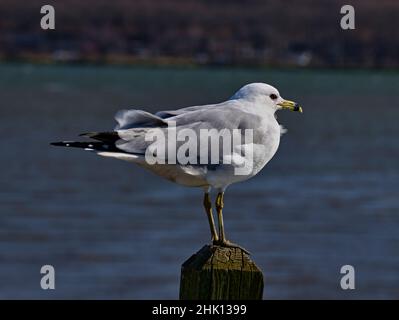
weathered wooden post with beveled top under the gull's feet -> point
(219, 273)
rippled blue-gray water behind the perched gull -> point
(111, 230)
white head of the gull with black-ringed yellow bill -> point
(266, 95)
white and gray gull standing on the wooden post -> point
(252, 108)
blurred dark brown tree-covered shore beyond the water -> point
(256, 32)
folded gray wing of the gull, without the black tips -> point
(190, 123)
